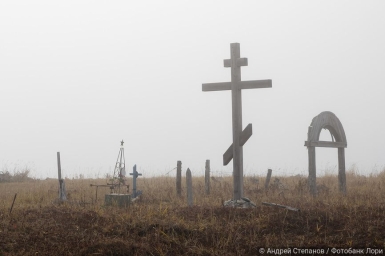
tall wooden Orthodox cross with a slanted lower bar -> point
(240, 137)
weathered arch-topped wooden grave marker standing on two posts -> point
(326, 120)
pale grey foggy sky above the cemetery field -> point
(80, 76)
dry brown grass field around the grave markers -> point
(160, 223)
